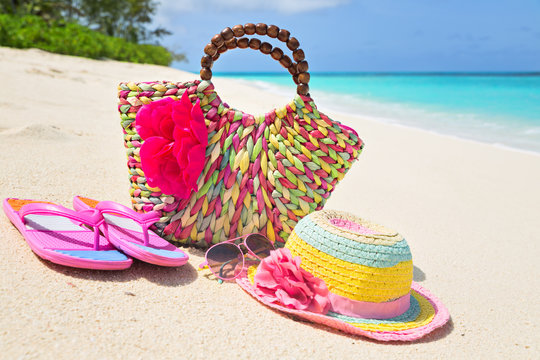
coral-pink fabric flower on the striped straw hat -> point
(281, 279)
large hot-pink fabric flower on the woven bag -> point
(174, 148)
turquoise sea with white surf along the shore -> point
(502, 109)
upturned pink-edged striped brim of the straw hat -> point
(426, 314)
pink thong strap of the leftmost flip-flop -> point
(90, 217)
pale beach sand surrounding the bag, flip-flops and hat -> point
(470, 212)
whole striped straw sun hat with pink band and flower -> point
(349, 274)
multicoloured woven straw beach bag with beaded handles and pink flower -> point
(214, 172)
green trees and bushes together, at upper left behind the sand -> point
(91, 28)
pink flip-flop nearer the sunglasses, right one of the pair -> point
(129, 231)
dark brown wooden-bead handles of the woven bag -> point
(226, 40)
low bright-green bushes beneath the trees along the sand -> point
(74, 39)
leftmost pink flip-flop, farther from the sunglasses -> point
(58, 234)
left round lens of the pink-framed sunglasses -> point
(225, 260)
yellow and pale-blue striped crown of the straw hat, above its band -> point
(357, 259)
